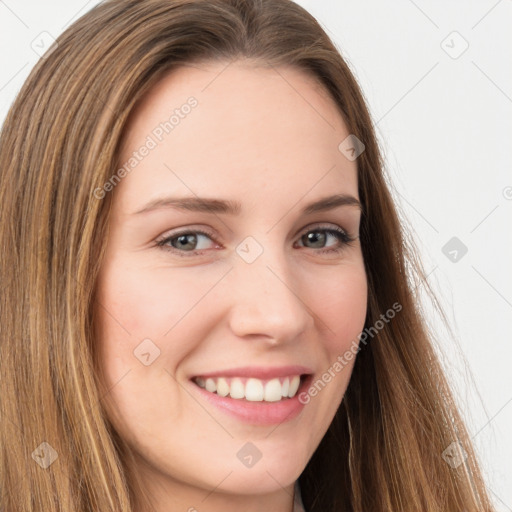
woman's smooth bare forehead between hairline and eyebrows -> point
(253, 129)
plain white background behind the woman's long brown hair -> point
(444, 121)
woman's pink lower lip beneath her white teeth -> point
(257, 413)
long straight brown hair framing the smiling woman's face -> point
(60, 142)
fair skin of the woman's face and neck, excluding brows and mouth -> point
(269, 139)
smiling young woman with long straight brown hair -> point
(248, 371)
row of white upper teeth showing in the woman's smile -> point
(253, 390)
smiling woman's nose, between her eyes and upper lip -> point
(266, 300)
